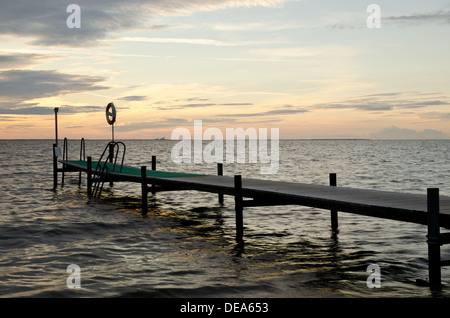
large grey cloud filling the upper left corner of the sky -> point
(44, 22)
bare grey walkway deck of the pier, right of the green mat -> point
(384, 204)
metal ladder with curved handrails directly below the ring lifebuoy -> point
(102, 170)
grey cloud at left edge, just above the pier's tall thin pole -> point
(18, 87)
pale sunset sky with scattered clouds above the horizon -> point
(311, 68)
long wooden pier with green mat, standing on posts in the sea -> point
(428, 209)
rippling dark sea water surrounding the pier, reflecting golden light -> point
(185, 246)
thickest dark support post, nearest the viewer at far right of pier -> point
(433, 240)
